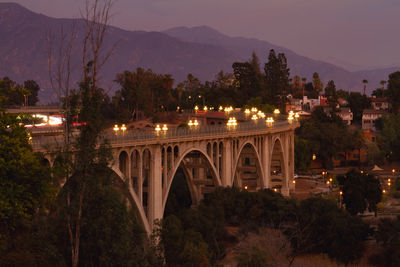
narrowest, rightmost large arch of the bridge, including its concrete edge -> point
(277, 165)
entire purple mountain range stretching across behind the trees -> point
(202, 51)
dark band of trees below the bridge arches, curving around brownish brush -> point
(316, 225)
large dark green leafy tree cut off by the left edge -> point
(25, 185)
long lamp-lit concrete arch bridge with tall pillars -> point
(251, 155)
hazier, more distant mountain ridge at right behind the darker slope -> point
(299, 65)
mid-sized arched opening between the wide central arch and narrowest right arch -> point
(248, 175)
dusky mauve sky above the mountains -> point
(357, 34)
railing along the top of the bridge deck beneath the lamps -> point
(42, 142)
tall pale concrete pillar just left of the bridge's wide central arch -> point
(155, 187)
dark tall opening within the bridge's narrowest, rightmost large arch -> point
(277, 168)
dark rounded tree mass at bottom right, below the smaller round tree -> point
(320, 227)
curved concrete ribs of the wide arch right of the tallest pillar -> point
(189, 175)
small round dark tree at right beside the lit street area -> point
(360, 191)
